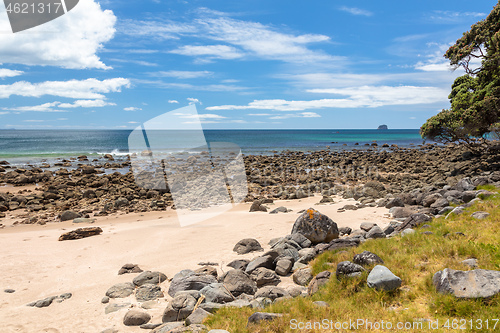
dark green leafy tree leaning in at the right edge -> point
(475, 96)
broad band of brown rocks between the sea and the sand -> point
(416, 180)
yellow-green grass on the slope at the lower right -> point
(414, 258)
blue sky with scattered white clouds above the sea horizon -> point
(244, 64)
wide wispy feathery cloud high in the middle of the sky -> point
(236, 39)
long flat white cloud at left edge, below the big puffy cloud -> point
(77, 89)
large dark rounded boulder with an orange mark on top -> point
(316, 227)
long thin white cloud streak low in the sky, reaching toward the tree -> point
(365, 96)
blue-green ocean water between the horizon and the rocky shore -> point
(32, 146)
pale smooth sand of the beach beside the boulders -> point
(37, 265)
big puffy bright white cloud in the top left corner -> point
(70, 41)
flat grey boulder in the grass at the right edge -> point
(479, 283)
